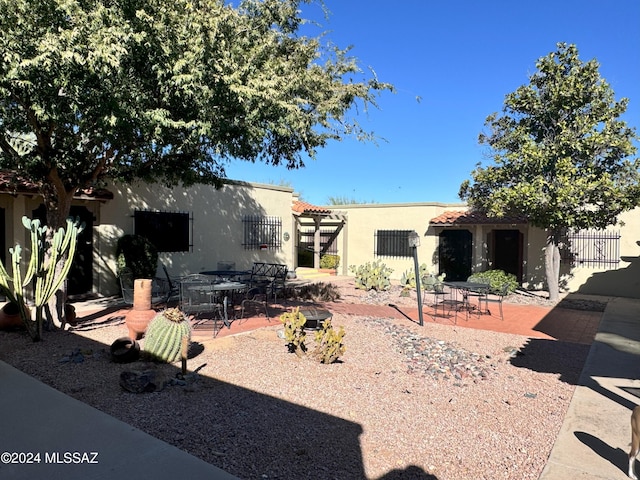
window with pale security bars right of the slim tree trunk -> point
(592, 248)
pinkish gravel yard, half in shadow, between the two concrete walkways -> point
(433, 402)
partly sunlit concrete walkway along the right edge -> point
(595, 436)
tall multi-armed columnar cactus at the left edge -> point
(51, 258)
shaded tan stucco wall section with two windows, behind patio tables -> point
(217, 226)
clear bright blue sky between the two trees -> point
(461, 57)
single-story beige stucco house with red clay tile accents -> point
(199, 227)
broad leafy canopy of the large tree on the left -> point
(166, 91)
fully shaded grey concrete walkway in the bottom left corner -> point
(47, 435)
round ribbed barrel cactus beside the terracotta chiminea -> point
(163, 340)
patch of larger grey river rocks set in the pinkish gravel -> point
(434, 358)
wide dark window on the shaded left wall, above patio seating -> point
(168, 231)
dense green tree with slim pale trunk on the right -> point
(561, 153)
